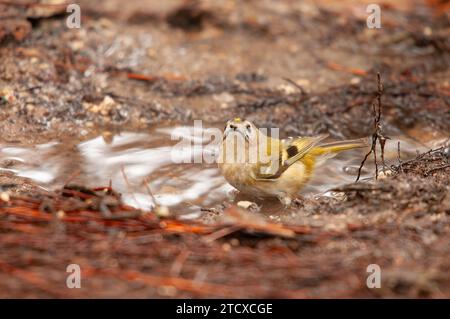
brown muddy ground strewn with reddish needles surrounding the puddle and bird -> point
(131, 67)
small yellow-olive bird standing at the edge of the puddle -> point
(265, 166)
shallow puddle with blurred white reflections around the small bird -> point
(148, 156)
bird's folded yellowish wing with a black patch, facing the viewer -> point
(290, 151)
